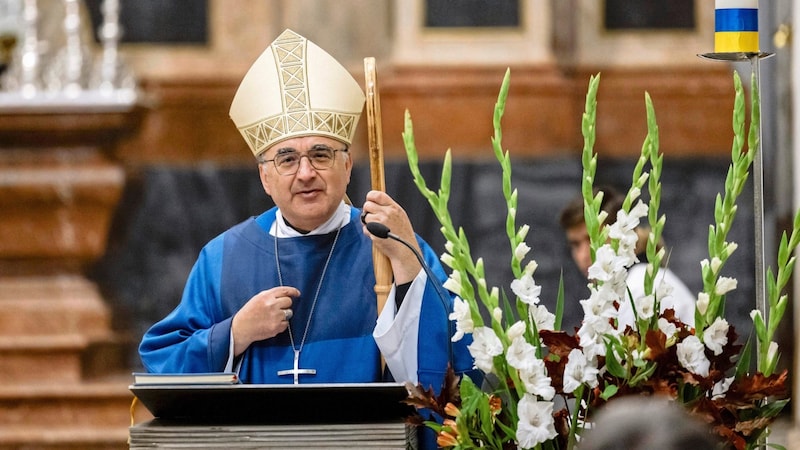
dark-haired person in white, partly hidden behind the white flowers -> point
(572, 221)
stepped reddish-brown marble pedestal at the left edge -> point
(59, 188)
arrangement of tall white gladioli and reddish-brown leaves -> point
(527, 361)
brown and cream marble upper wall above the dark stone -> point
(448, 73)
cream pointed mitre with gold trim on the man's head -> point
(296, 89)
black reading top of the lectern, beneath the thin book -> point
(275, 403)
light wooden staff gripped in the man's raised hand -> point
(383, 267)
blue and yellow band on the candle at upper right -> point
(736, 26)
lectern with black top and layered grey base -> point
(320, 416)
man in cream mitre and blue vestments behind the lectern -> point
(289, 296)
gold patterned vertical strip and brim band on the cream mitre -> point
(297, 116)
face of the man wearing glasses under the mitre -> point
(310, 196)
